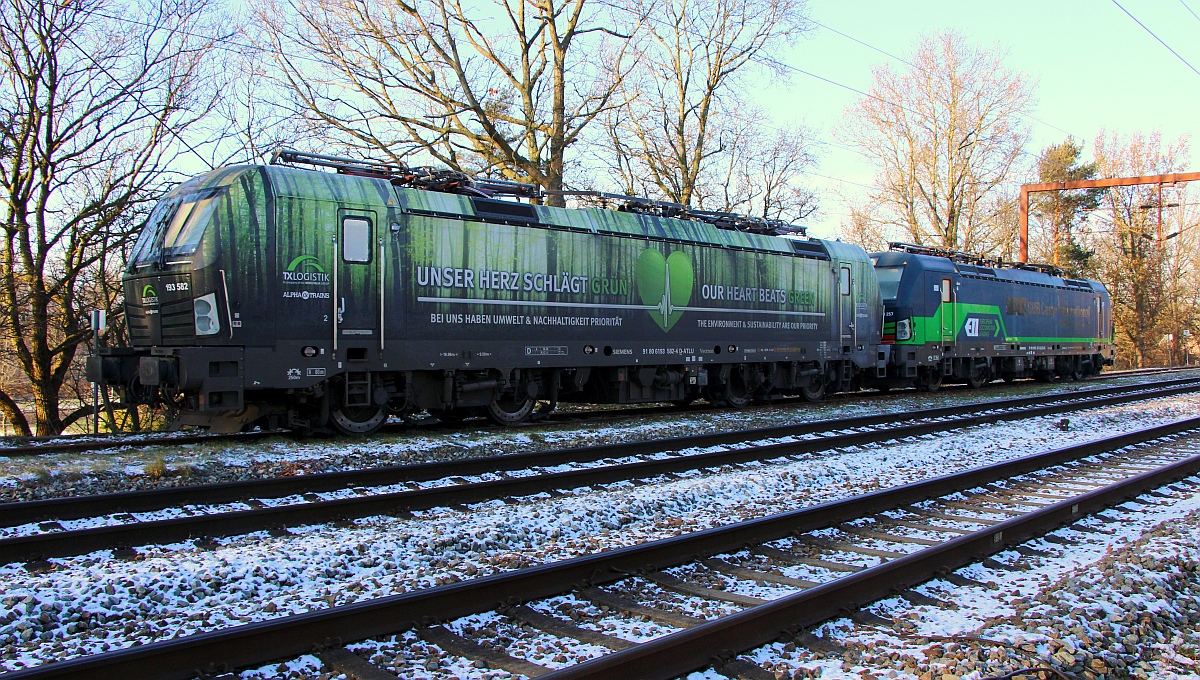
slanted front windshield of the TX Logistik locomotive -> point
(176, 228)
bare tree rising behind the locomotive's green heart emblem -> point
(682, 123)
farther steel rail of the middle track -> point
(15, 514)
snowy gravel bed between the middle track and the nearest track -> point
(95, 603)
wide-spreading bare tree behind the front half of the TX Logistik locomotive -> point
(502, 87)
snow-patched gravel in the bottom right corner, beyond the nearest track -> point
(1119, 601)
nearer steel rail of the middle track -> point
(75, 543)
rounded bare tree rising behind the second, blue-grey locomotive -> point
(946, 134)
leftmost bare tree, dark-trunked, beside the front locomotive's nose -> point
(94, 110)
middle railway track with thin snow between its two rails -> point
(39, 531)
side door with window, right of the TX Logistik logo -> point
(357, 290)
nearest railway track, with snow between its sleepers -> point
(766, 580)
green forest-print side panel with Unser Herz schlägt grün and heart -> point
(475, 274)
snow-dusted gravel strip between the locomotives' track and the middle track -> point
(121, 470)
